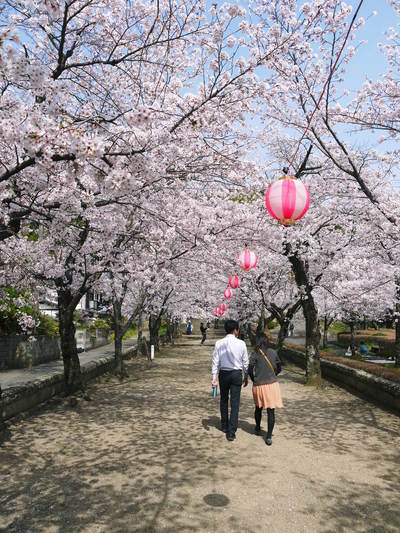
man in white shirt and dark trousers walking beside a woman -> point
(230, 364)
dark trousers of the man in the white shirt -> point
(230, 381)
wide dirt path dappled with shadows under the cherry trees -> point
(147, 456)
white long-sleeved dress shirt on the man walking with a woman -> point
(230, 353)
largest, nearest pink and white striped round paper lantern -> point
(287, 200)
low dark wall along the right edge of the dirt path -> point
(381, 391)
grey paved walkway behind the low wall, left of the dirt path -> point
(23, 376)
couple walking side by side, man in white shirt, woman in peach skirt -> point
(231, 367)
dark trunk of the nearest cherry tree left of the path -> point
(72, 367)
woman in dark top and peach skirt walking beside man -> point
(264, 366)
